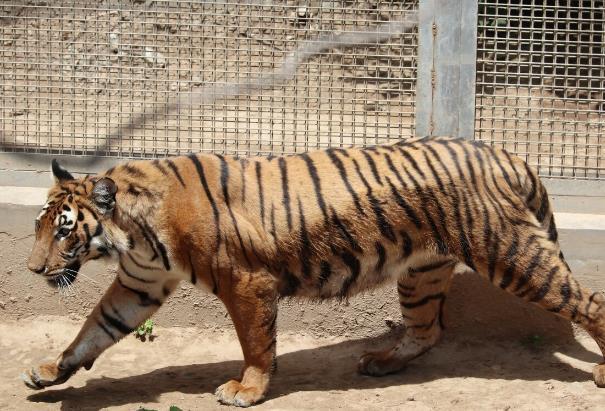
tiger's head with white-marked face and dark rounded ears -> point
(74, 226)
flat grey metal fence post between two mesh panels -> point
(445, 102)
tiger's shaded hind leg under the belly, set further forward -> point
(422, 293)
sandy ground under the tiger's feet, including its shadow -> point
(183, 366)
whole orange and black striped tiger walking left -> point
(326, 224)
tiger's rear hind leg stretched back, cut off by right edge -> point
(540, 275)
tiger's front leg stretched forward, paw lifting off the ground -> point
(126, 304)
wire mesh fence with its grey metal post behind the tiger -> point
(527, 75)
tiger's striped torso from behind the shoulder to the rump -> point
(335, 222)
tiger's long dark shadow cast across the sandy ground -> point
(332, 368)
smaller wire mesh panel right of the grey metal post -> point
(541, 83)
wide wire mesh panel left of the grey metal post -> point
(72, 71)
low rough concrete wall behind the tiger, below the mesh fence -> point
(474, 306)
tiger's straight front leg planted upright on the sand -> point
(251, 300)
